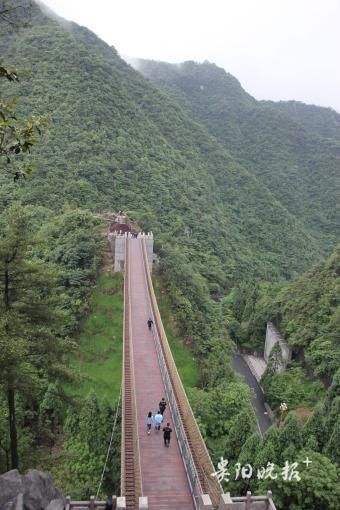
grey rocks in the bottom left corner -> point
(33, 491)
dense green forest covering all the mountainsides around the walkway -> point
(234, 191)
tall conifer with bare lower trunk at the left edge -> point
(29, 343)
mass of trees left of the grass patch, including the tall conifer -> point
(36, 318)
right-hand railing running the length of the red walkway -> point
(195, 448)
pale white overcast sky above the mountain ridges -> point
(278, 49)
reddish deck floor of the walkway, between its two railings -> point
(163, 477)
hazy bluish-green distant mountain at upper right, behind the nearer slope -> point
(293, 149)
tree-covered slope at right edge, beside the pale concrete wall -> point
(309, 316)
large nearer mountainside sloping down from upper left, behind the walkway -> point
(113, 137)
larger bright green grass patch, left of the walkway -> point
(99, 361)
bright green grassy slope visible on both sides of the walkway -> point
(100, 354)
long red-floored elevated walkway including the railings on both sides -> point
(175, 477)
